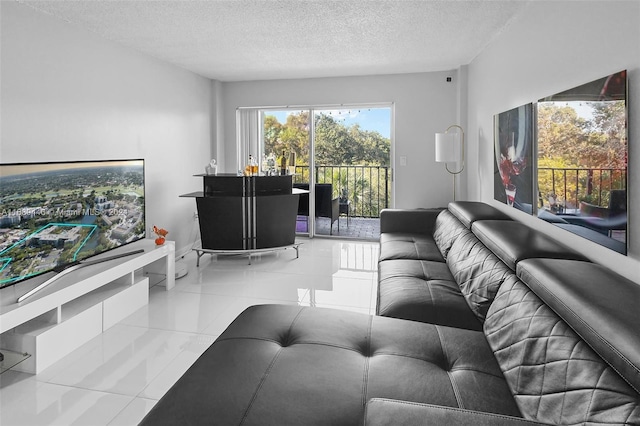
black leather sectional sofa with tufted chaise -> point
(481, 320)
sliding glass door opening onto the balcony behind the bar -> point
(342, 156)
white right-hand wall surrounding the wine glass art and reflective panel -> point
(550, 47)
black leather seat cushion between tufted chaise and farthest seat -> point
(422, 291)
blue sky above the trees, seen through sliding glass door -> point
(372, 119)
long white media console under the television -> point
(80, 305)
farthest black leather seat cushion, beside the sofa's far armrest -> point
(401, 245)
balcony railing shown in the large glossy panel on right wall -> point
(572, 185)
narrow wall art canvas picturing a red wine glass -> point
(513, 165)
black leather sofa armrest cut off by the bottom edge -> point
(386, 412)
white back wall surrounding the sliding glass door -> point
(425, 103)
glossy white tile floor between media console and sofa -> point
(117, 377)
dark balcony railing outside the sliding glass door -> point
(365, 187)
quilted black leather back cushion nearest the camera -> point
(554, 375)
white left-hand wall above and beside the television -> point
(68, 94)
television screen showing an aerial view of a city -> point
(53, 215)
